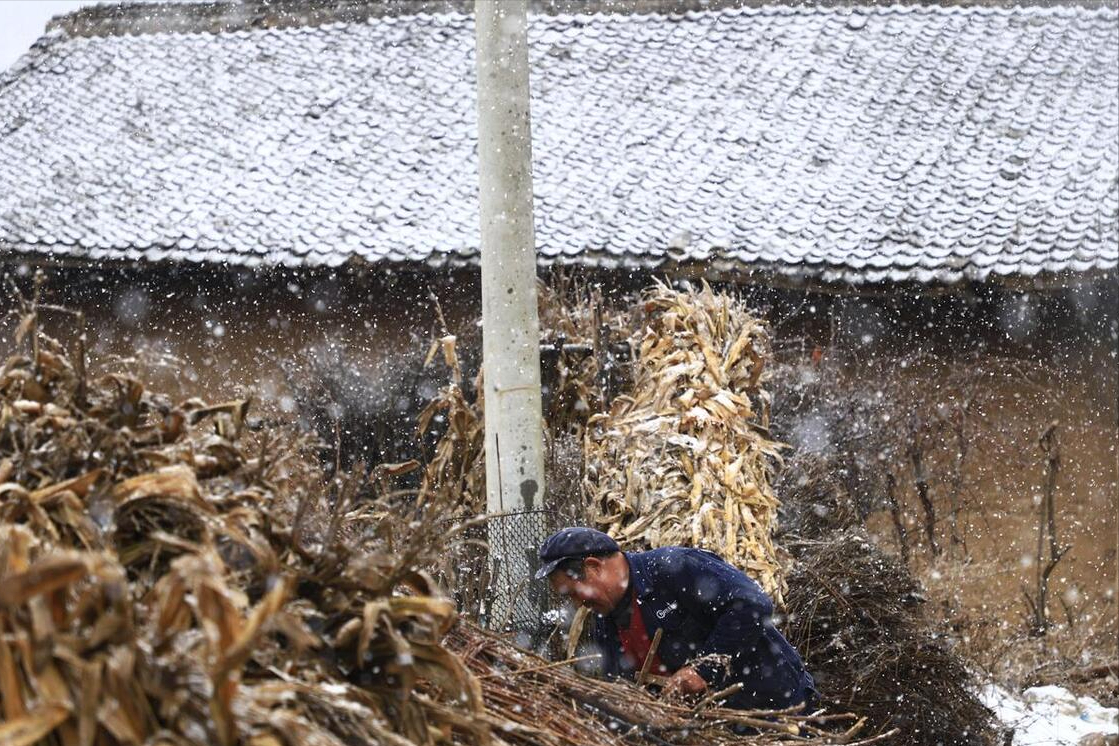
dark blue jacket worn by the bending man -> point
(708, 608)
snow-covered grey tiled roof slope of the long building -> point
(879, 145)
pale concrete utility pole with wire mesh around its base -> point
(511, 327)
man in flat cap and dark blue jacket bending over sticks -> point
(718, 627)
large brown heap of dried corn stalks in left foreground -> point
(168, 577)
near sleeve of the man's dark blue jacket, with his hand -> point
(709, 588)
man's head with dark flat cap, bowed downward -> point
(586, 565)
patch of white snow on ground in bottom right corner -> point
(1050, 716)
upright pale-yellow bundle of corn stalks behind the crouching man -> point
(685, 459)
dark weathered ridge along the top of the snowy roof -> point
(133, 18)
